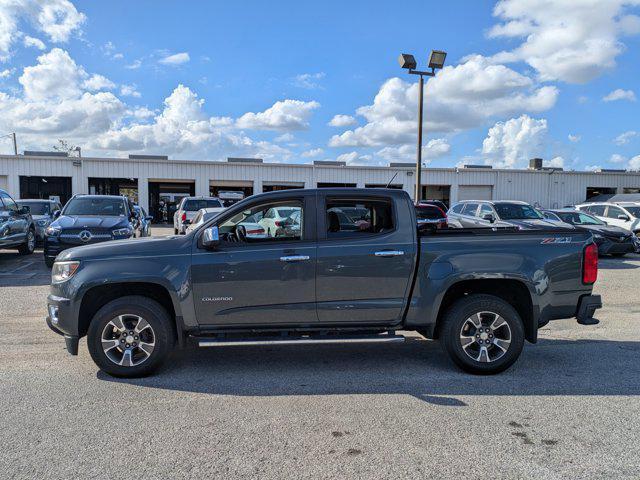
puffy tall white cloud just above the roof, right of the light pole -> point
(512, 143)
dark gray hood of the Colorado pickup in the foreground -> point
(135, 247)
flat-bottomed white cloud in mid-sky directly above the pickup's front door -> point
(283, 115)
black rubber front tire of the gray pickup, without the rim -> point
(154, 314)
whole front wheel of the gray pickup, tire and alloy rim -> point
(130, 337)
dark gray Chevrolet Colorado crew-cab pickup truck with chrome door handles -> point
(357, 270)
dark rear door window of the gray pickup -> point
(354, 218)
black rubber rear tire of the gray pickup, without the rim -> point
(456, 319)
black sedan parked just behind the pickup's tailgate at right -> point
(611, 240)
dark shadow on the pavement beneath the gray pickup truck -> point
(418, 368)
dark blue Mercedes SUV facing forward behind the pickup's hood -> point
(87, 219)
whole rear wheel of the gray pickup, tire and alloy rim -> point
(482, 334)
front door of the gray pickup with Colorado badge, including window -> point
(253, 278)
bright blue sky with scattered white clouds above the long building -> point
(207, 80)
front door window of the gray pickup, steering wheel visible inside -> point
(265, 223)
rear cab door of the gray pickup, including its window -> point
(364, 265)
